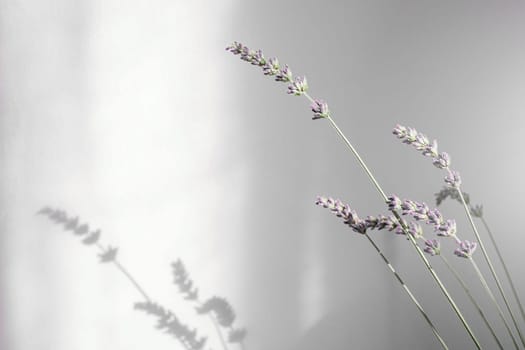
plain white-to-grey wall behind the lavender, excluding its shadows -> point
(131, 115)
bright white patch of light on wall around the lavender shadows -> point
(135, 146)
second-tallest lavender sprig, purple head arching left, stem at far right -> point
(442, 160)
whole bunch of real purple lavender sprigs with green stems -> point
(407, 216)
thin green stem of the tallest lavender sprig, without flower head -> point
(405, 230)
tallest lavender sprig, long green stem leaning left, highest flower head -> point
(299, 87)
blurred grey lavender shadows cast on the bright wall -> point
(218, 309)
